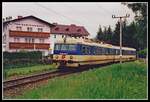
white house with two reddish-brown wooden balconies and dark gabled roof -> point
(27, 33)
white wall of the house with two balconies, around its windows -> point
(35, 24)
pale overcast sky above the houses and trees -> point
(87, 14)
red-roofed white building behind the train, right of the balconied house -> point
(60, 32)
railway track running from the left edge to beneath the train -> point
(43, 76)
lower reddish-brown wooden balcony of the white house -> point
(16, 45)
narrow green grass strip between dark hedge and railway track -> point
(27, 70)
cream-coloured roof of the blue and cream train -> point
(92, 43)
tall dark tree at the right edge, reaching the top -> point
(140, 9)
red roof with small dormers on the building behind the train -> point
(72, 30)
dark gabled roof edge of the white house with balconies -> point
(29, 17)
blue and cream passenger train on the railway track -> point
(74, 53)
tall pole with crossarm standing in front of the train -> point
(120, 20)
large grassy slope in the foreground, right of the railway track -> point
(109, 82)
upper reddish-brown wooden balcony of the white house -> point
(13, 33)
